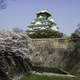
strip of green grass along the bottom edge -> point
(42, 77)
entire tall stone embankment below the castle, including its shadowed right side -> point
(60, 53)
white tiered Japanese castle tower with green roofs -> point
(43, 21)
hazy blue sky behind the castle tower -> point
(20, 13)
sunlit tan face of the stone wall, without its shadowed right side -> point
(49, 51)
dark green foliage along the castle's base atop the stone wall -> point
(46, 34)
